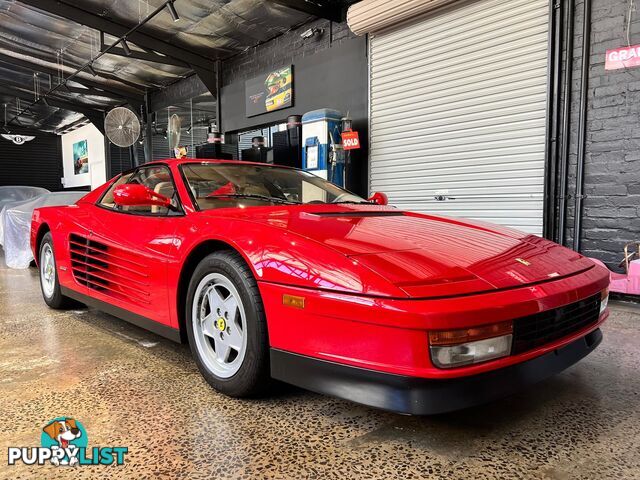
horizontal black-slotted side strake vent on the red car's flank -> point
(108, 270)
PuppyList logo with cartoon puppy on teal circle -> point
(64, 441)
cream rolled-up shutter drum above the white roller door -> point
(371, 16)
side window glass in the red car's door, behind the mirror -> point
(156, 178)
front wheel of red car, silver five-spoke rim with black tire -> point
(226, 325)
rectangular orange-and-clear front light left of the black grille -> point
(455, 348)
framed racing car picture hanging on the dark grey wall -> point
(269, 92)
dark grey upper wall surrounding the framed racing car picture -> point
(329, 71)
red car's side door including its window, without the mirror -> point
(132, 247)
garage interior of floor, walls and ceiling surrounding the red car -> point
(502, 112)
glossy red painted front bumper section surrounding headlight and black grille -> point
(391, 335)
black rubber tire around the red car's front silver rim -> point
(253, 376)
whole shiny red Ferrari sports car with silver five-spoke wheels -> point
(272, 272)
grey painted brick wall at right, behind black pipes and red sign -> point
(612, 155)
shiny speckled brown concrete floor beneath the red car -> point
(131, 388)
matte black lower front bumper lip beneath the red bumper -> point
(423, 396)
